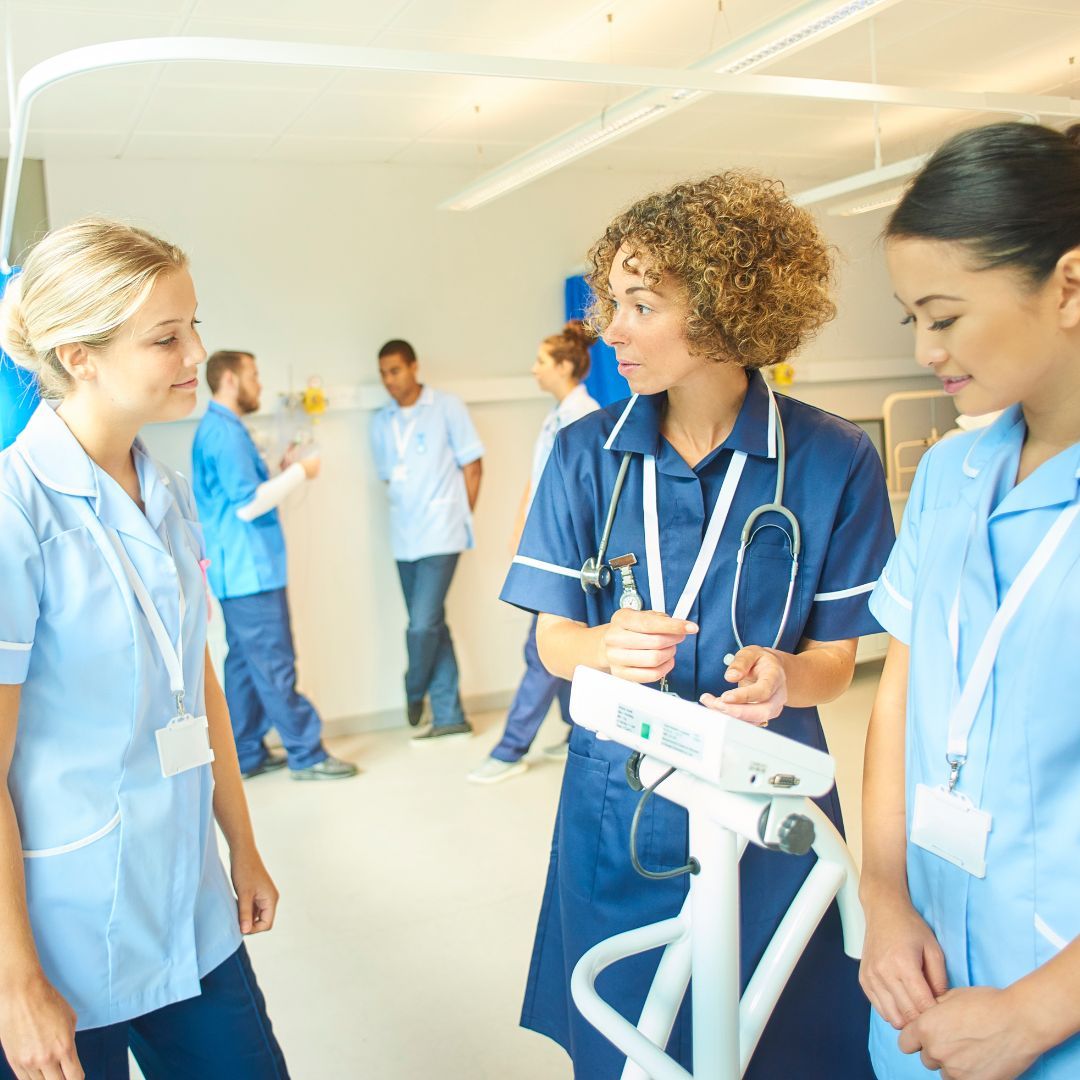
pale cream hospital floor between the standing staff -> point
(410, 899)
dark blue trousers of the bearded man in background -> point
(261, 682)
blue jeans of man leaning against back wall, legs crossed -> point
(433, 666)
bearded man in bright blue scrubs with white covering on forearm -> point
(247, 550)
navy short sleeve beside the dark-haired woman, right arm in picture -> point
(859, 545)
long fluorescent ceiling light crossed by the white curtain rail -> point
(809, 23)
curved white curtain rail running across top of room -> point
(295, 55)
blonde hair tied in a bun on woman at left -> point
(79, 285)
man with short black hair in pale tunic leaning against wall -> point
(429, 454)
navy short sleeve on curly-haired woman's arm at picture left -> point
(546, 574)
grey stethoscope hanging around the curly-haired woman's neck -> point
(597, 573)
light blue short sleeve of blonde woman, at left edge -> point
(23, 576)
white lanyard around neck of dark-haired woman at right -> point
(964, 713)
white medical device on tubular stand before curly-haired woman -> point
(740, 785)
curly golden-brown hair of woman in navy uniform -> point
(754, 268)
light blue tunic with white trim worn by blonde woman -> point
(129, 902)
